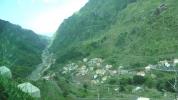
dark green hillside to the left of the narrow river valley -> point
(20, 49)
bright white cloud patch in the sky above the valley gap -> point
(49, 21)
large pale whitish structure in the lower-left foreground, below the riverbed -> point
(30, 89)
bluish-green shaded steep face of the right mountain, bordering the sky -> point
(89, 23)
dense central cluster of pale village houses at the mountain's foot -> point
(95, 70)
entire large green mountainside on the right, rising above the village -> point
(124, 32)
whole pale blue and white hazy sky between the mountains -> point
(41, 16)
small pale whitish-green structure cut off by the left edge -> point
(5, 72)
